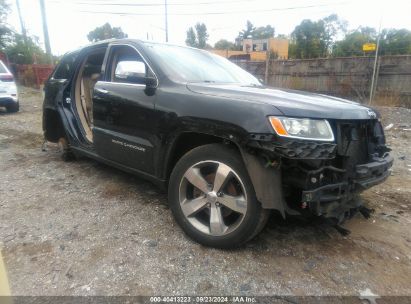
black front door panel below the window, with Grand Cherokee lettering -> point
(123, 123)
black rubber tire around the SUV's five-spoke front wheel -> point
(254, 219)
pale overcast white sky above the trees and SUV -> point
(70, 21)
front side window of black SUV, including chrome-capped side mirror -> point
(127, 66)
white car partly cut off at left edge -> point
(8, 90)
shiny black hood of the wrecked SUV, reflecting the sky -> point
(291, 103)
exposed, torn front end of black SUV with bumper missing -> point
(322, 179)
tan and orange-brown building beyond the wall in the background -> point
(257, 49)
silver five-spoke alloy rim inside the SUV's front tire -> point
(213, 198)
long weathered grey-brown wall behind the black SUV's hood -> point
(346, 77)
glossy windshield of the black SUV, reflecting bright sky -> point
(193, 65)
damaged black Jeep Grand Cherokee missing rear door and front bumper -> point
(228, 148)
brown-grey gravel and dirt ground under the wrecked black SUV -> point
(82, 228)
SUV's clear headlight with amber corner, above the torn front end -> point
(304, 128)
